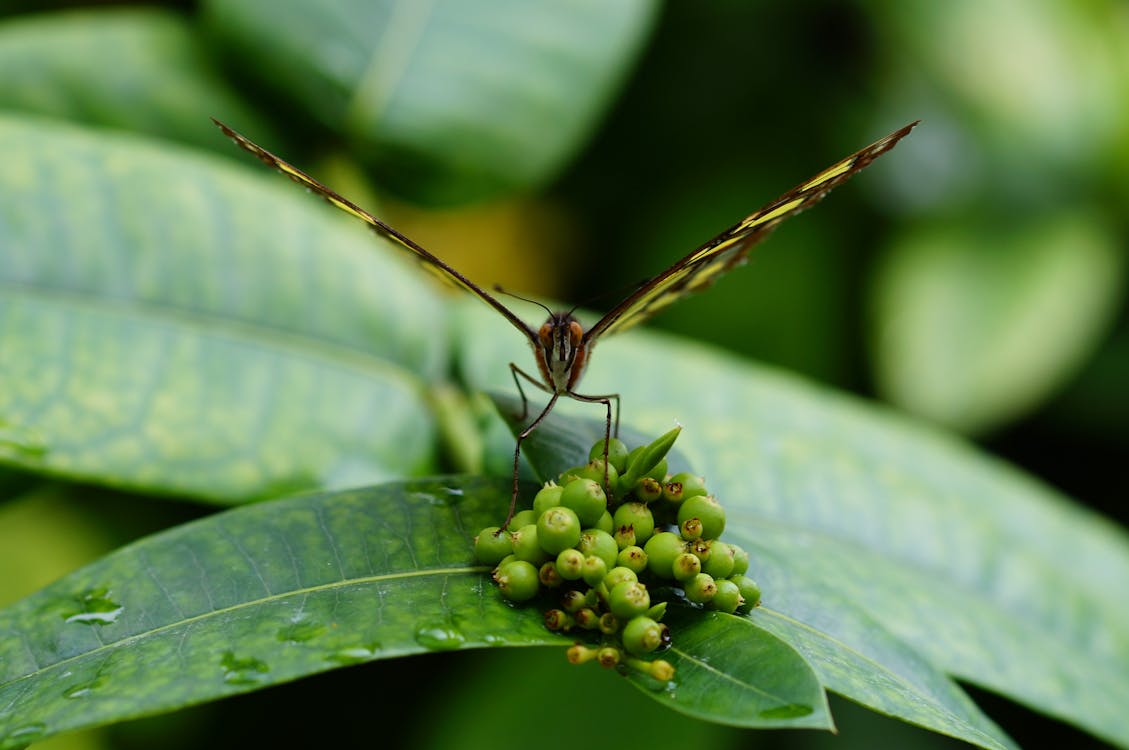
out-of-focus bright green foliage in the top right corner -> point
(1061, 108)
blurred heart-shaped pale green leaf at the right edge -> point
(975, 327)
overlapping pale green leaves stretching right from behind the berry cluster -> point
(890, 554)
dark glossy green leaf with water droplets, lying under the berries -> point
(273, 592)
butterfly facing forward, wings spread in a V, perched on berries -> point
(562, 346)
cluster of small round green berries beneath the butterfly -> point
(603, 535)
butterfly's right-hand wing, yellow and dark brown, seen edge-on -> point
(702, 268)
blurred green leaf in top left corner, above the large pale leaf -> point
(138, 69)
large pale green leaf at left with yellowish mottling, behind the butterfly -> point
(176, 325)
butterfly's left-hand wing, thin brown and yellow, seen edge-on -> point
(427, 260)
